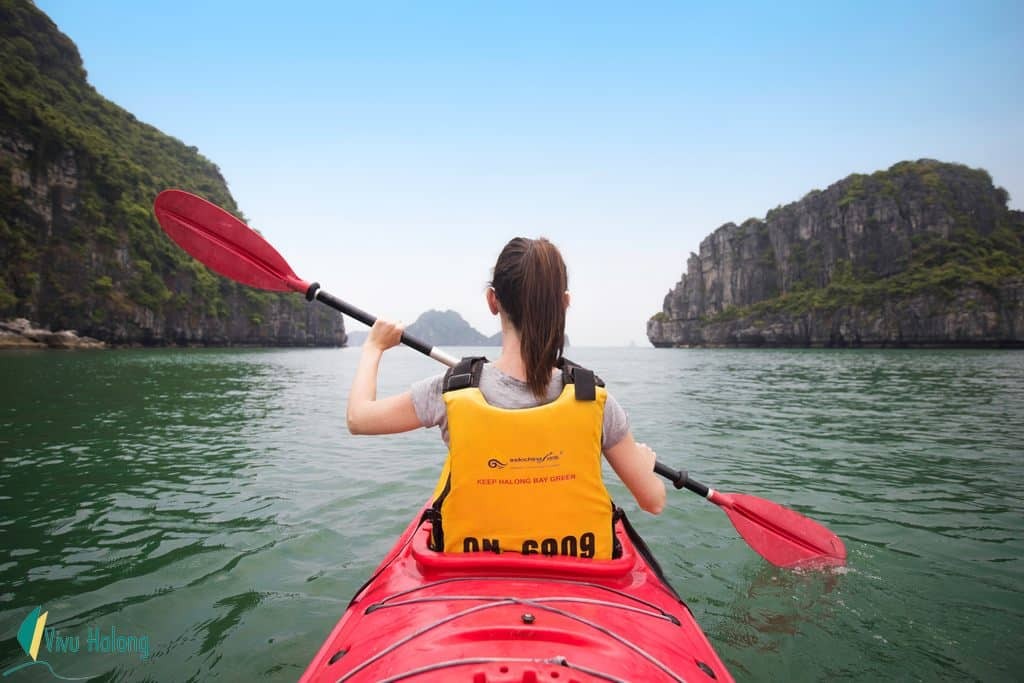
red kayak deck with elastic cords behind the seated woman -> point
(486, 618)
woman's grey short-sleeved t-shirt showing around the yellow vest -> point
(503, 392)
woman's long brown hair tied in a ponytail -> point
(531, 281)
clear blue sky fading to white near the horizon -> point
(390, 150)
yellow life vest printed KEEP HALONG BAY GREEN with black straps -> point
(526, 481)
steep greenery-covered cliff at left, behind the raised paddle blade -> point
(79, 245)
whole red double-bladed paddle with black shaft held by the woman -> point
(228, 246)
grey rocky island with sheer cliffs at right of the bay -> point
(923, 254)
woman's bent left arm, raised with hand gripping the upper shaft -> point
(366, 415)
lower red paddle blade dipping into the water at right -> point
(783, 537)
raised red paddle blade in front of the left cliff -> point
(224, 244)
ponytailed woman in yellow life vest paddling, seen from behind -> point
(526, 433)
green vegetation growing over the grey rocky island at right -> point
(977, 242)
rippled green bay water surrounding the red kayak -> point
(214, 502)
